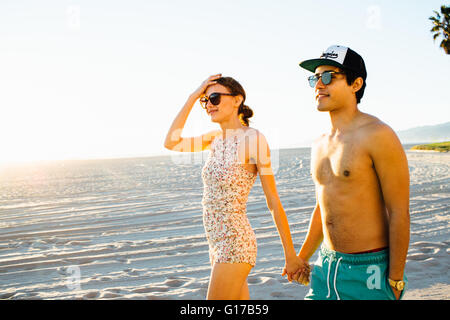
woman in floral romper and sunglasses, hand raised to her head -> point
(238, 154)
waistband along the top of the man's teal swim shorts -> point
(355, 259)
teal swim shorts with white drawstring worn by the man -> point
(342, 276)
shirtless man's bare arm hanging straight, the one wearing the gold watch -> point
(391, 167)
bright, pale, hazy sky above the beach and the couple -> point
(104, 79)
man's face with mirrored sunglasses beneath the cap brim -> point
(334, 95)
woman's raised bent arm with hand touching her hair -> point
(174, 141)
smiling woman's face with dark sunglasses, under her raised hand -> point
(227, 107)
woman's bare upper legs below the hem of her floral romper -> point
(228, 281)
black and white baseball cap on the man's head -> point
(338, 56)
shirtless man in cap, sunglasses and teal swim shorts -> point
(361, 177)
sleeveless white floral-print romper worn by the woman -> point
(227, 185)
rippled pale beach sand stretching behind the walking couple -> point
(132, 229)
